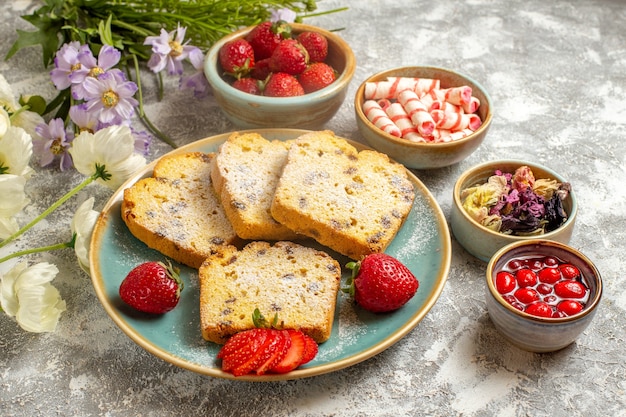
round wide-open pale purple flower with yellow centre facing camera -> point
(111, 97)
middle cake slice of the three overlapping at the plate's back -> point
(245, 173)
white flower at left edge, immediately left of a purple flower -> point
(16, 149)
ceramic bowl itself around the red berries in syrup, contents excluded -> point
(539, 334)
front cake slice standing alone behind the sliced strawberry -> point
(297, 283)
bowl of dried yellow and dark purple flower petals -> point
(501, 202)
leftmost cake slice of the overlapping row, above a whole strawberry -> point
(176, 211)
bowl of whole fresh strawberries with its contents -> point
(280, 75)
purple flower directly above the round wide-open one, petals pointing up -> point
(108, 57)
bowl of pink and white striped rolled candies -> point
(423, 117)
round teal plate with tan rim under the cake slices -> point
(422, 244)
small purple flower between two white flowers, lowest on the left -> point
(55, 141)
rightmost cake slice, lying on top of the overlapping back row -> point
(352, 202)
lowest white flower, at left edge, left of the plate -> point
(27, 295)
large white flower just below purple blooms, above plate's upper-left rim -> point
(113, 148)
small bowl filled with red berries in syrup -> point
(541, 295)
